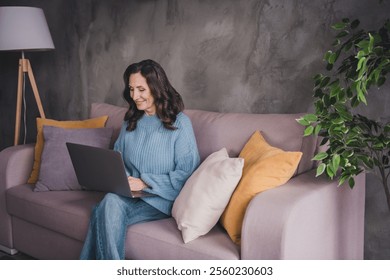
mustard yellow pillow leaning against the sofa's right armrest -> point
(265, 167)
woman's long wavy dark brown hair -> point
(167, 100)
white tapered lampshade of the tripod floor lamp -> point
(24, 29)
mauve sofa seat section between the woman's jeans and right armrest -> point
(161, 240)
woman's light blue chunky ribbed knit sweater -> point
(164, 159)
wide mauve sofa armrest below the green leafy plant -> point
(306, 218)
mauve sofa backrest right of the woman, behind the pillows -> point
(232, 130)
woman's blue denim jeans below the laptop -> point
(108, 226)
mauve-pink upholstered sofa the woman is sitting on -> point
(308, 217)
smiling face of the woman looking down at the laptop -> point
(140, 93)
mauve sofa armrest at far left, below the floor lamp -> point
(15, 167)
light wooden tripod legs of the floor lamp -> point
(25, 67)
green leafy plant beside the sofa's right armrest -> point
(358, 62)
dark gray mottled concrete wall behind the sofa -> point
(221, 55)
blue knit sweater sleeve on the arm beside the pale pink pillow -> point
(187, 160)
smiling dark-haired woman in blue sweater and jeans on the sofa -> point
(159, 150)
